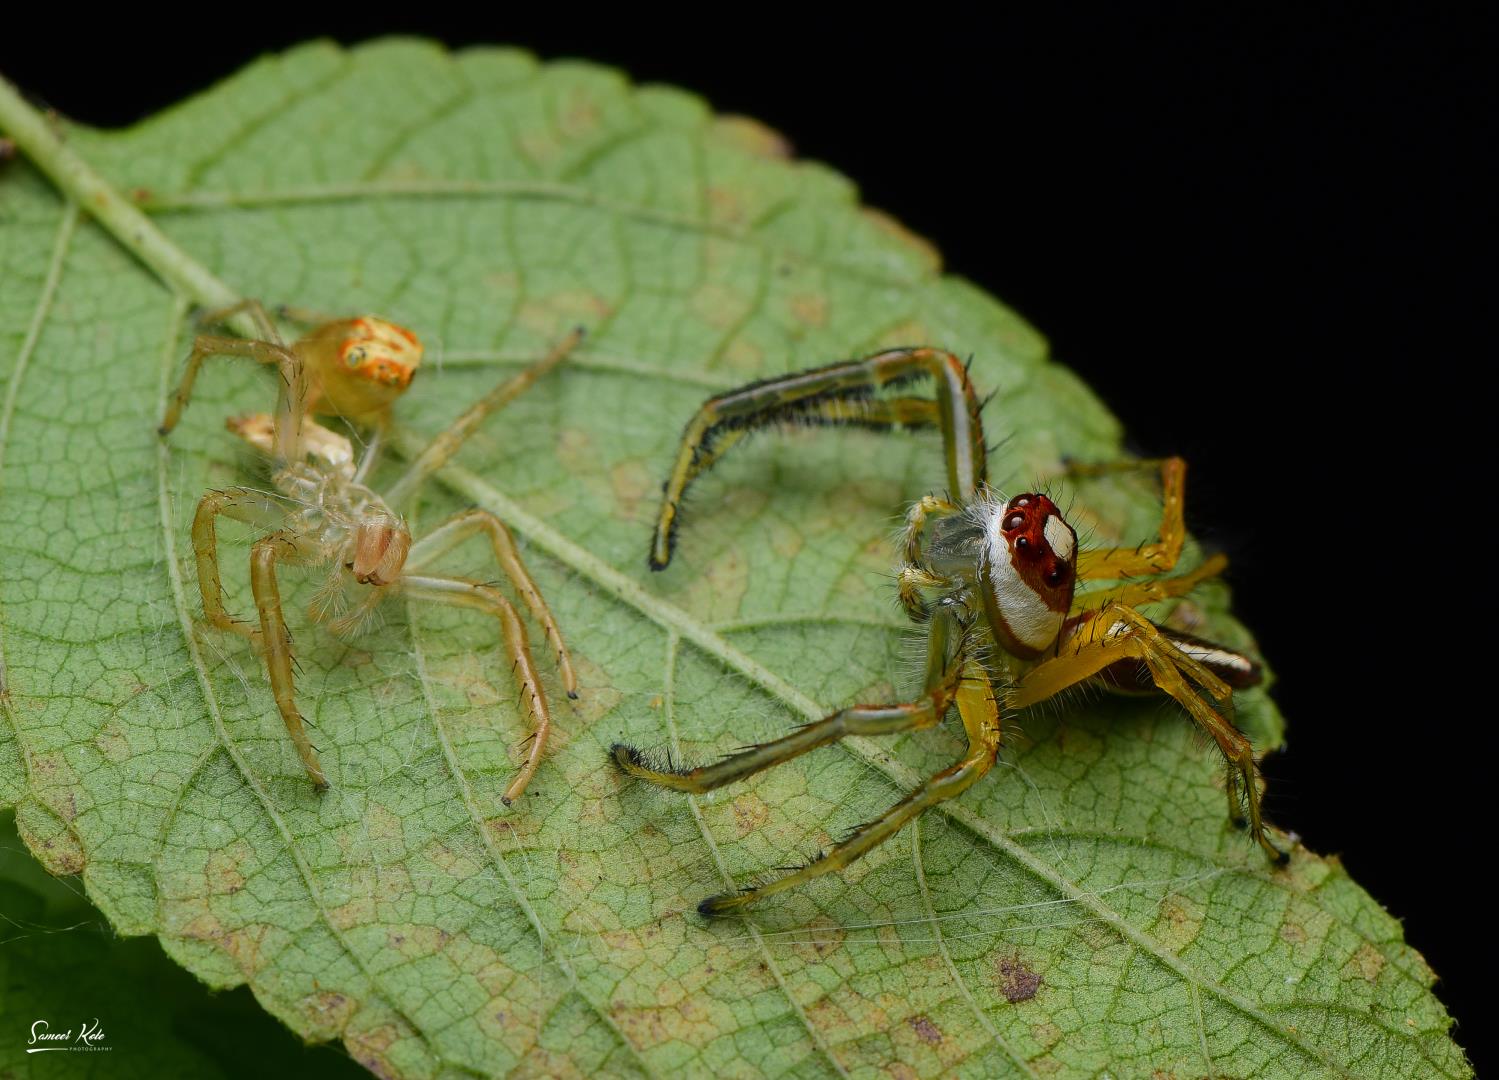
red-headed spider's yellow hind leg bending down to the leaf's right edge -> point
(1119, 634)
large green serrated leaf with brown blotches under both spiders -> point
(1086, 908)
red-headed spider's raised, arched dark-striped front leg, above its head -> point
(840, 394)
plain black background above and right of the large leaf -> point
(1263, 239)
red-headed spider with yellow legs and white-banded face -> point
(993, 581)
